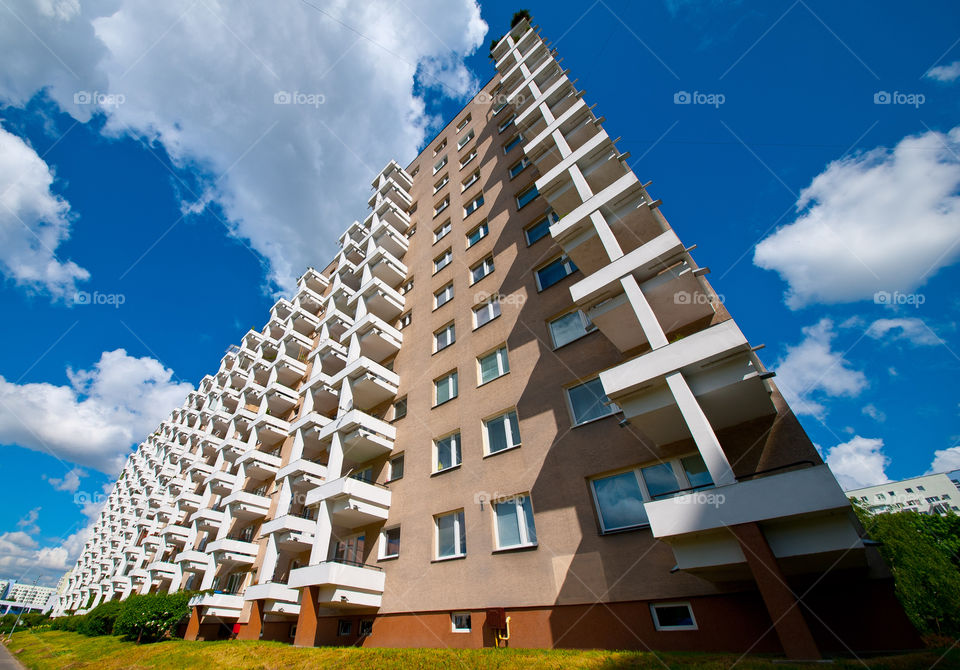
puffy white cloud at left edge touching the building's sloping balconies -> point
(98, 416)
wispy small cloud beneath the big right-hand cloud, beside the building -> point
(813, 370)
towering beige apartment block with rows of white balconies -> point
(510, 412)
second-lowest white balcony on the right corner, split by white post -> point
(718, 365)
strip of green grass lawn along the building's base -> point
(56, 650)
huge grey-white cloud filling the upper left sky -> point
(199, 80)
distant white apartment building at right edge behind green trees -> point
(929, 494)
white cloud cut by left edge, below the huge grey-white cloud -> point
(33, 222)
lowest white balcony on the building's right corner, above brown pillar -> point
(804, 515)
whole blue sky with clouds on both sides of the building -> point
(191, 198)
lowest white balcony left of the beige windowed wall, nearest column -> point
(342, 586)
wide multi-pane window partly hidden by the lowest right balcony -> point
(620, 497)
